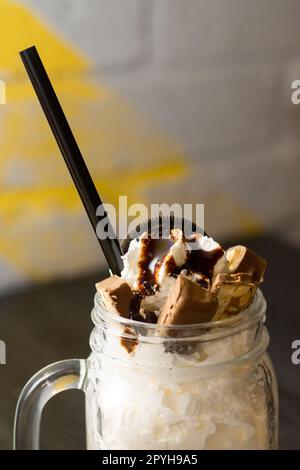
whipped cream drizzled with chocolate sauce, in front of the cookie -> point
(162, 260)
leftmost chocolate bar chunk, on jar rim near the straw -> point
(116, 294)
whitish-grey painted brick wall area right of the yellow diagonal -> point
(214, 74)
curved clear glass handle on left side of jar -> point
(45, 384)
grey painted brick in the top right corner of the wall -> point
(193, 31)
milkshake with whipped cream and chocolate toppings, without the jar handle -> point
(179, 350)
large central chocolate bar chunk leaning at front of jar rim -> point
(188, 303)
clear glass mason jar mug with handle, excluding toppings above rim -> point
(147, 386)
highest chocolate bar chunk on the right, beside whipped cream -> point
(242, 260)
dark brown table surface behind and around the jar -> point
(52, 322)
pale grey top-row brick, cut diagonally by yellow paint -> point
(107, 31)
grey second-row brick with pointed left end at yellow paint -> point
(206, 110)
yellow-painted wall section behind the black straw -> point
(44, 231)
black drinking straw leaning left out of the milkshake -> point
(71, 153)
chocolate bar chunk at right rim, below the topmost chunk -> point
(234, 292)
